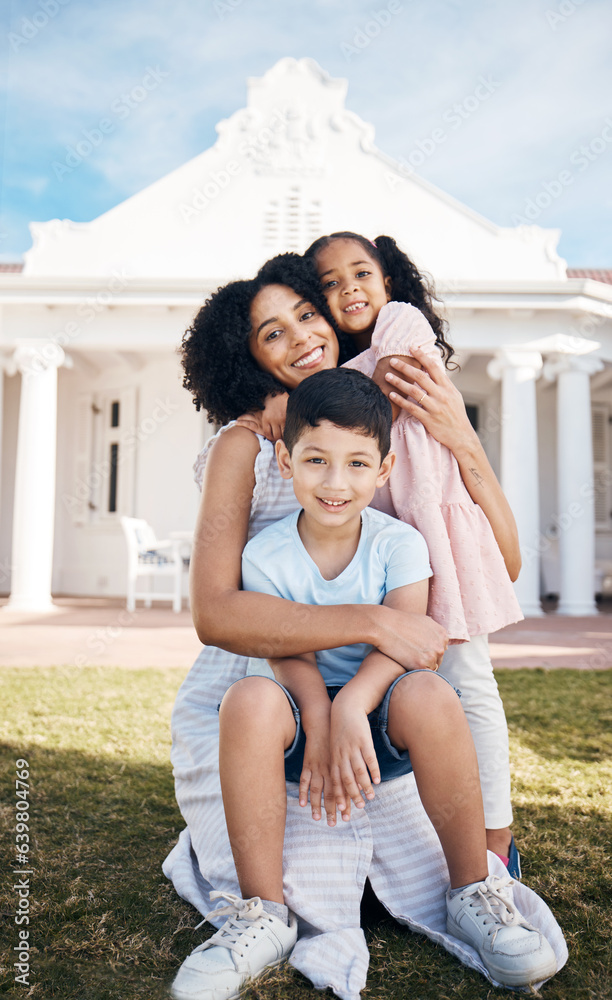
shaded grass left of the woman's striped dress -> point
(104, 921)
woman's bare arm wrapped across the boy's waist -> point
(261, 625)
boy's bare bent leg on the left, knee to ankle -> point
(256, 727)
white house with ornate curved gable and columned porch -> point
(95, 422)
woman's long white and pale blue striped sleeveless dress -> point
(390, 841)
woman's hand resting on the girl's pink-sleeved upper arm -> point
(428, 394)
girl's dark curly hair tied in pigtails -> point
(407, 283)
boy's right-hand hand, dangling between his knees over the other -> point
(353, 759)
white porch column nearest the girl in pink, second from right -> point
(518, 370)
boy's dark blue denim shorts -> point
(392, 763)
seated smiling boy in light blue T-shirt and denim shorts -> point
(341, 720)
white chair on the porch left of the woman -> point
(147, 557)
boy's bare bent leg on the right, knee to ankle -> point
(426, 718)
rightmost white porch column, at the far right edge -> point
(575, 517)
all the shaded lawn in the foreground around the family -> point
(106, 925)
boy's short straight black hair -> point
(345, 397)
